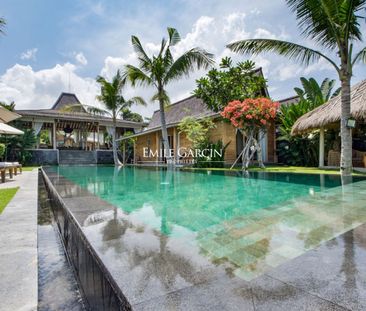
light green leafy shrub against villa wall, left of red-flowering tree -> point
(195, 130)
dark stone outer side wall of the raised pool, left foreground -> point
(99, 289)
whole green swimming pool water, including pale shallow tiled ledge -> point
(251, 223)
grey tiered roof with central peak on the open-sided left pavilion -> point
(58, 112)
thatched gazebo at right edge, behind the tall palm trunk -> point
(328, 116)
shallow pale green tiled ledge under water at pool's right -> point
(267, 238)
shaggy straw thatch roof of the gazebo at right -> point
(330, 112)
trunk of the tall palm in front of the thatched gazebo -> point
(346, 133)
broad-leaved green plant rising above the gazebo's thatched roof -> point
(316, 94)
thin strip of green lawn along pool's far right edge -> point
(281, 169)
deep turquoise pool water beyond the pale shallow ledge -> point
(193, 200)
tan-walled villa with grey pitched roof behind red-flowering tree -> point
(149, 140)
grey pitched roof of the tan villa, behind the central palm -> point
(191, 106)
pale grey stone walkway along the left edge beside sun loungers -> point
(18, 245)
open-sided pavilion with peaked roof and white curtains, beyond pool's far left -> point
(67, 125)
